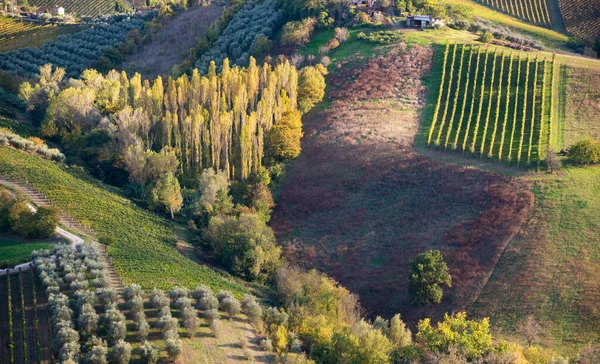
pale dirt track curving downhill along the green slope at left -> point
(39, 199)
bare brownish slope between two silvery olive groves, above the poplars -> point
(170, 44)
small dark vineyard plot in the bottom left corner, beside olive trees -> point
(24, 320)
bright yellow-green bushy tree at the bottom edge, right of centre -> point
(470, 337)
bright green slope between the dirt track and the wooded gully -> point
(143, 252)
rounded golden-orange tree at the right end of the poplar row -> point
(283, 140)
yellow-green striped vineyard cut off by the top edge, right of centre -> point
(532, 11)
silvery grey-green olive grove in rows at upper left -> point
(73, 52)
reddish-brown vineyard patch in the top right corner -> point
(582, 17)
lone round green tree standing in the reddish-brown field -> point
(428, 271)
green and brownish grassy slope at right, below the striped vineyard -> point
(550, 270)
